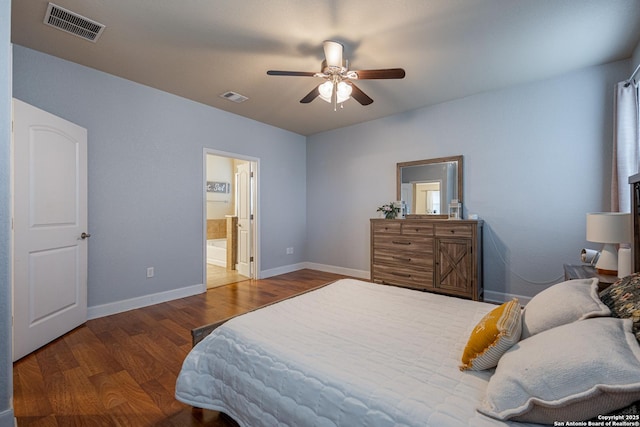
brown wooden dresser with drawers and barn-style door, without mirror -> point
(435, 255)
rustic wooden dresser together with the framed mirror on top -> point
(429, 251)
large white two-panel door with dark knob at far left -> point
(50, 225)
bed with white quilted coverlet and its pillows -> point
(354, 353)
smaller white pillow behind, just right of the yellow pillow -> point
(562, 303)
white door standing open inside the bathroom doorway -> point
(245, 211)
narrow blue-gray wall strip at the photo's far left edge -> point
(6, 367)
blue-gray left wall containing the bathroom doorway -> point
(145, 154)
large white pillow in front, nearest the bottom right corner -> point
(573, 372)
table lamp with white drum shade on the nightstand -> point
(610, 228)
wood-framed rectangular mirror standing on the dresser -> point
(428, 186)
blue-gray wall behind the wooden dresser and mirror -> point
(537, 158)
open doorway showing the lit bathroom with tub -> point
(231, 218)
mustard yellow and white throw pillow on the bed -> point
(496, 333)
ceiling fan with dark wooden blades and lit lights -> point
(339, 85)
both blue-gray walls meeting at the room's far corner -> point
(537, 158)
